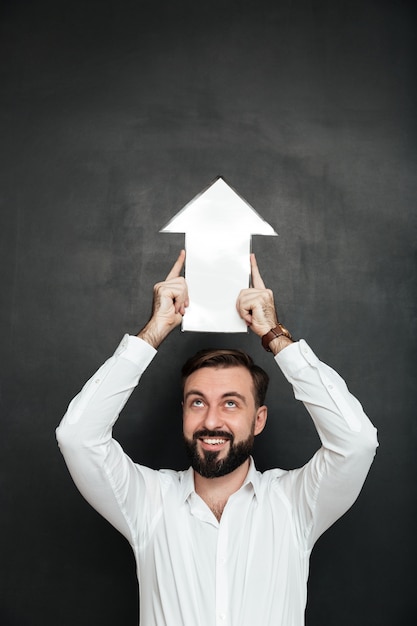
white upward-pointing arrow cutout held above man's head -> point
(218, 224)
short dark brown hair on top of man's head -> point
(229, 358)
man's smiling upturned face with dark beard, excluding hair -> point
(220, 419)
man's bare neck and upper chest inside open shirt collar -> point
(216, 491)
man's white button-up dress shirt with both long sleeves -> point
(251, 568)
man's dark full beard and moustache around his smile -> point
(207, 464)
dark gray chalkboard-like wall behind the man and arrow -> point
(114, 114)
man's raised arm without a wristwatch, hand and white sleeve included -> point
(104, 475)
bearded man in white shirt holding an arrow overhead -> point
(219, 544)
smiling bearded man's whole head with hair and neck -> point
(223, 411)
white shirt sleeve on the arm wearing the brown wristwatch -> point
(327, 486)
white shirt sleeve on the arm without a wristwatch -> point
(106, 477)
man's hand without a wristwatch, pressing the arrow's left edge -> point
(170, 299)
